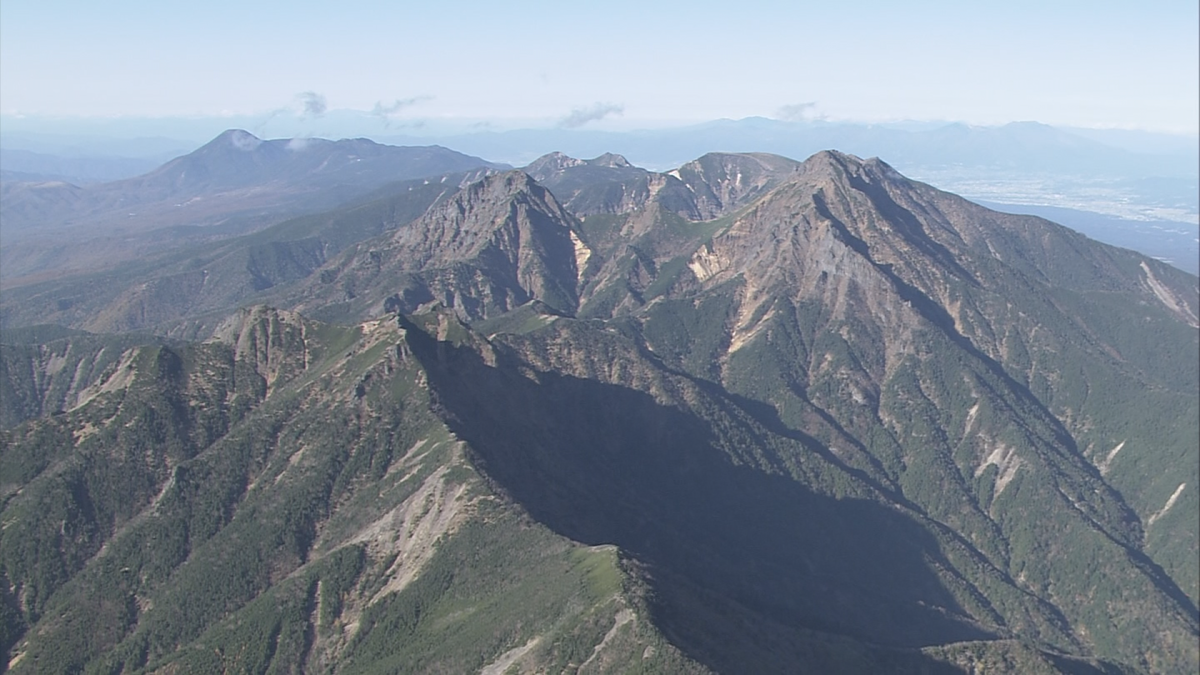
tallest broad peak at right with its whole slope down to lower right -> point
(859, 304)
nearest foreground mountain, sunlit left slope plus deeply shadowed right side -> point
(370, 537)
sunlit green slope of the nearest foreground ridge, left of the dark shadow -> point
(211, 521)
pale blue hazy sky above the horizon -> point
(627, 64)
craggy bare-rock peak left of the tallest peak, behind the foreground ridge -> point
(494, 246)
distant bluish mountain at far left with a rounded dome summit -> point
(235, 184)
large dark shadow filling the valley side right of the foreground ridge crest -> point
(751, 572)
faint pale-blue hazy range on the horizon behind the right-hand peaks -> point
(1024, 147)
